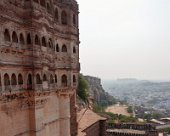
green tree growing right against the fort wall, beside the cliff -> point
(83, 88)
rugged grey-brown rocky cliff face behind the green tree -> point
(96, 91)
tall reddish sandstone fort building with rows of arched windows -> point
(39, 67)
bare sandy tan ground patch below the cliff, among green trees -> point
(118, 109)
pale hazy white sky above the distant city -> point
(125, 38)
